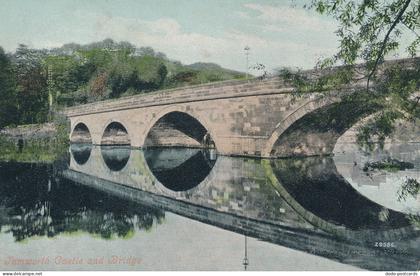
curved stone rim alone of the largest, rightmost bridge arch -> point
(303, 110)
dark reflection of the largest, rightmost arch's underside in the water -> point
(318, 187)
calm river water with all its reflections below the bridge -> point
(163, 209)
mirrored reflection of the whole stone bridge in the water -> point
(300, 203)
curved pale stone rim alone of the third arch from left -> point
(184, 111)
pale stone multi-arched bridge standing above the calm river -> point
(261, 118)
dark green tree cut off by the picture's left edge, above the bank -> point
(8, 109)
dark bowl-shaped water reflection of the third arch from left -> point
(180, 169)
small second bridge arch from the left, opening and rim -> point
(115, 132)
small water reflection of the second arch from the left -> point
(116, 158)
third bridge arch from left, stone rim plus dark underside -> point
(197, 127)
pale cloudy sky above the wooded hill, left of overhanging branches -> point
(279, 33)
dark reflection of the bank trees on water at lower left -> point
(32, 203)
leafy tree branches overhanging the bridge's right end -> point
(370, 31)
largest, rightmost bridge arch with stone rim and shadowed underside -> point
(315, 127)
